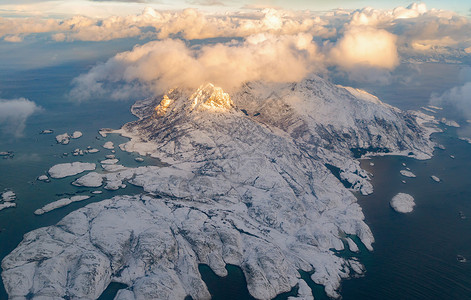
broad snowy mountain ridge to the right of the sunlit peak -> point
(333, 117)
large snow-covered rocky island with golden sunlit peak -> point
(247, 183)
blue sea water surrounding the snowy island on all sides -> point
(414, 257)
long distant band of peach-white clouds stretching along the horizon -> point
(419, 30)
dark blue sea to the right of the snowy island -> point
(415, 255)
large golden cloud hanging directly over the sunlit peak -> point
(160, 65)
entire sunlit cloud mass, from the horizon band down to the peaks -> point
(189, 47)
